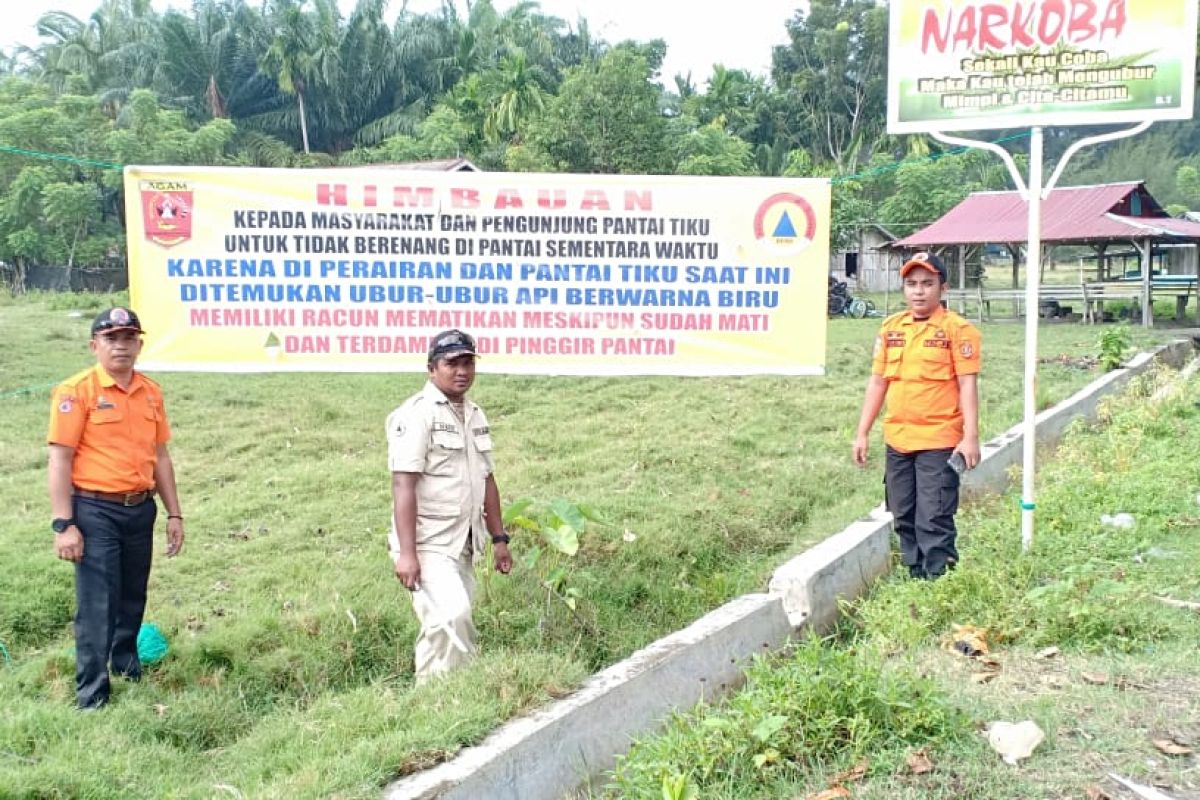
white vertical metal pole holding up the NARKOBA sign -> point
(1033, 309)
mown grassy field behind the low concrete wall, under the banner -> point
(290, 673)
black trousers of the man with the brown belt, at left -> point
(111, 593)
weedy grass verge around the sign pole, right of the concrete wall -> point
(887, 695)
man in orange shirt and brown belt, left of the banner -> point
(109, 458)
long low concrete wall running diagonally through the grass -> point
(551, 753)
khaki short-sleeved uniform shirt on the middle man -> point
(454, 458)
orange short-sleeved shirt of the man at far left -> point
(116, 432)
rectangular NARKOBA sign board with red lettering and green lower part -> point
(958, 65)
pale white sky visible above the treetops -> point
(739, 34)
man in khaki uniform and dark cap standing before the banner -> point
(440, 453)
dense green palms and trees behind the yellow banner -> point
(297, 83)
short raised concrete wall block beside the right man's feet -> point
(842, 568)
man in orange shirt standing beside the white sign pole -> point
(926, 366)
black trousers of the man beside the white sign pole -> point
(923, 496)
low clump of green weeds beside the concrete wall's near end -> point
(824, 705)
